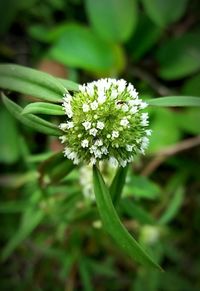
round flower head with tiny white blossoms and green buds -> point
(105, 122)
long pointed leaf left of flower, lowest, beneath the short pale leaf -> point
(31, 120)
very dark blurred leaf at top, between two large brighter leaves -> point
(144, 38)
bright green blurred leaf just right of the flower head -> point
(165, 130)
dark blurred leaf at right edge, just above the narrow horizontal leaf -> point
(192, 86)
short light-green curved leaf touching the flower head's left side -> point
(43, 108)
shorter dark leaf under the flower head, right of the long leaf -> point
(117, 184)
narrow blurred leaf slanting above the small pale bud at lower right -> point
(173, 206)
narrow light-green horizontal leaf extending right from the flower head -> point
(174, 101)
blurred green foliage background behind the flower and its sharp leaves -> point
(50, 234)
